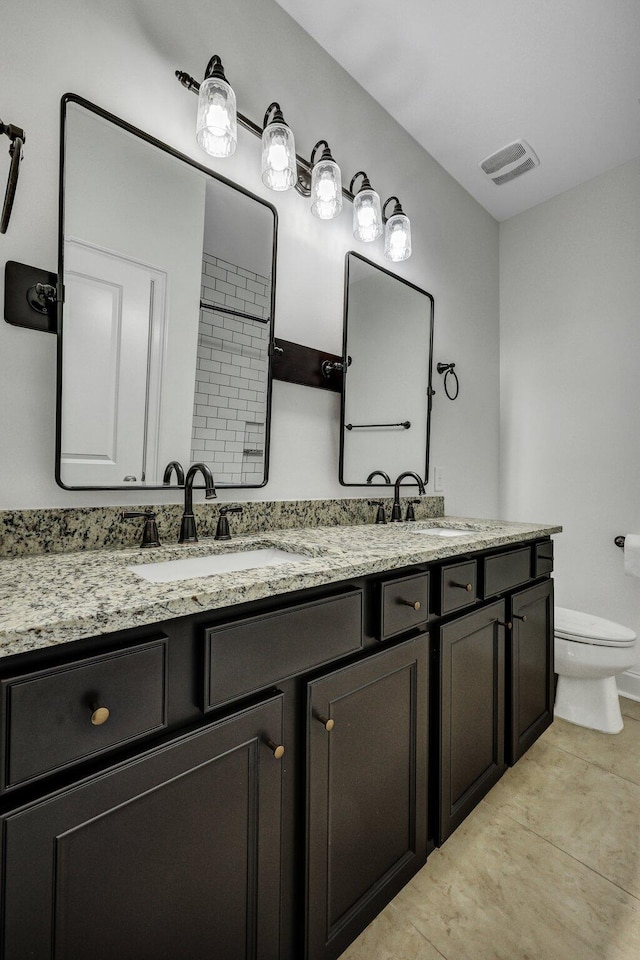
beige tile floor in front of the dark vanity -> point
(547, 867)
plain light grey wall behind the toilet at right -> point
(570, 381)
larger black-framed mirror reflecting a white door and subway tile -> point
(165, 331)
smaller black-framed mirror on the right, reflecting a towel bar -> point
(386, 395)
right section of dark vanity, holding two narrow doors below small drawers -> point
(492, 690)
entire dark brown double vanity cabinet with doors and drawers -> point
(173, 826)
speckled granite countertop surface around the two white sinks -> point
(56, 598)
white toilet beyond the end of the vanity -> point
(588, 652)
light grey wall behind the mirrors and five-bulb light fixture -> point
(122, 55)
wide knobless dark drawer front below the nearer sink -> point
(245, 656)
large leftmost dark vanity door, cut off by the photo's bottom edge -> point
(174, 854)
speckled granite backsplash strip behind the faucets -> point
(31, 532)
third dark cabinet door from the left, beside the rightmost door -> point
(471, 740)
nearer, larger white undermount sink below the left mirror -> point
(188, 568)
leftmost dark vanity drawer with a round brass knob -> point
(50, 715)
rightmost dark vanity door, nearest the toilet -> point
(529, 668)
